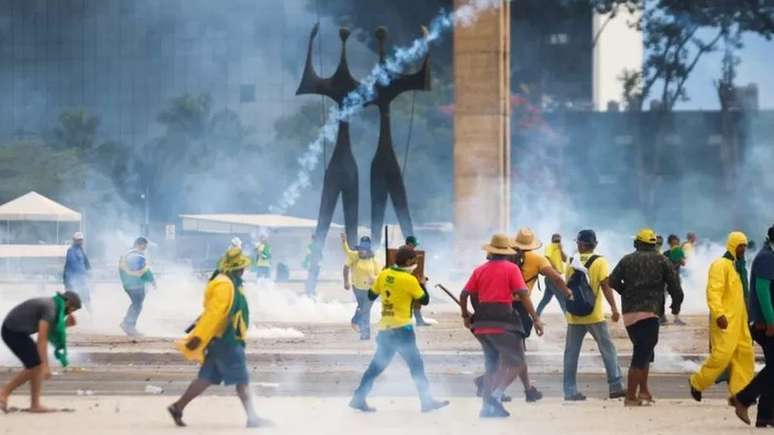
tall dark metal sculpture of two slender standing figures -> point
(341, 174)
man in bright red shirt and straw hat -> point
(495, 323)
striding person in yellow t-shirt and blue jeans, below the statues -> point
(398, 290)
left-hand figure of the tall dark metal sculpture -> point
(341, 176)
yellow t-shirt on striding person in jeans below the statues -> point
(398, 290)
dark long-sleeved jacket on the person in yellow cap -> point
(640, 278)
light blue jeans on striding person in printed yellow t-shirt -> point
(388, 343)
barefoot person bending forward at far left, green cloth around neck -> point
(49, 318)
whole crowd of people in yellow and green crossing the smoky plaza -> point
(502, 317)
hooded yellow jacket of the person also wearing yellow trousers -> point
(725, 294)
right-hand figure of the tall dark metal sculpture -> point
(386, 177)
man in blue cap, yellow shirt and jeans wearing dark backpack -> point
(597, 269)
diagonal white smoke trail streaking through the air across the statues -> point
(382, 74)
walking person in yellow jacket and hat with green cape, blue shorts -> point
(217, 341)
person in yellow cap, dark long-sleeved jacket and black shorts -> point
(640, 278)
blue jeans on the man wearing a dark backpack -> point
(572, 348)
